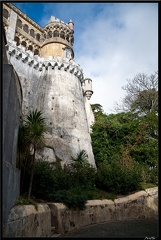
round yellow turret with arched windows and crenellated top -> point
(57, 39)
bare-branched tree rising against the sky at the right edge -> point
(142, 94)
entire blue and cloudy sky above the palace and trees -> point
(113, 42)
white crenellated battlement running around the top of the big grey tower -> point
(39, 63)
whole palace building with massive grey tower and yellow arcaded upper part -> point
(51, 81)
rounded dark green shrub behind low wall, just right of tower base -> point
(117, 178)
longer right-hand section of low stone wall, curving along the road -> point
(140, 205)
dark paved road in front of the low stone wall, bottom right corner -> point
(146, 229)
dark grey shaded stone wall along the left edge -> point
(11, 112)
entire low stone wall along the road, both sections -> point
(55, 218)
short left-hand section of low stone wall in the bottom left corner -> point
(26, 221)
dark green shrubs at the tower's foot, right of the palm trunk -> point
(49, 178)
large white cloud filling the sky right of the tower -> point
(117, 47)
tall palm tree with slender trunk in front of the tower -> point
(35, 127)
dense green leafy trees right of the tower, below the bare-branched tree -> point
(128, 139)
